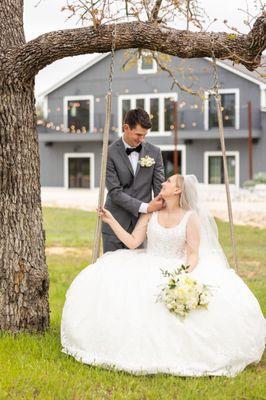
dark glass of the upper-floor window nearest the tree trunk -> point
(78, 115)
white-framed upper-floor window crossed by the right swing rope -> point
(230, 105)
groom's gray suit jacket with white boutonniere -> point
(127, 191)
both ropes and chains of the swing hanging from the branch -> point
(97, 239)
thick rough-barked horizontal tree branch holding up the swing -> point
(25, 62)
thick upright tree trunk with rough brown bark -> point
(23, 271)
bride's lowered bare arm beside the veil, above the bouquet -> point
(192, 241)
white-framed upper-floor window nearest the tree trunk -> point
(78, 114)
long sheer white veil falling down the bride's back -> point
(191, 198)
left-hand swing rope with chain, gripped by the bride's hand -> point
(108, 99)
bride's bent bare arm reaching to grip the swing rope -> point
(133, 240)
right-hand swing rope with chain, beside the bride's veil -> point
(222, 141)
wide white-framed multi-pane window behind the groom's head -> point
(158, 106)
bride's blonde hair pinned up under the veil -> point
(189, 196)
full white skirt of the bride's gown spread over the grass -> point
(111, 318)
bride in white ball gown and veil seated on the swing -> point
(111, 317)
